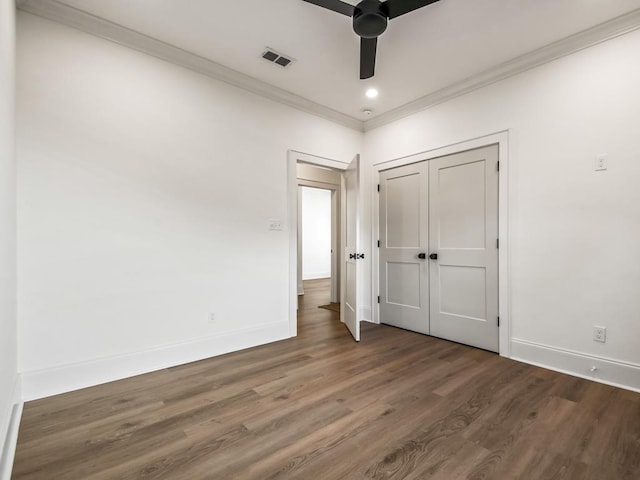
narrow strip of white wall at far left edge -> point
(8, 326)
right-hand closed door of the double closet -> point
(463, 231)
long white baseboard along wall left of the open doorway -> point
(52, 381)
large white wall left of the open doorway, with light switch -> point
(144, 196)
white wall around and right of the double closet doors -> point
(574, 232)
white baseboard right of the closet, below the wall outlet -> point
(612, 372)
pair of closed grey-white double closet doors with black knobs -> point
(439, 247)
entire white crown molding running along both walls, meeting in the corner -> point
(61, 13)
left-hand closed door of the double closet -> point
(404, 242)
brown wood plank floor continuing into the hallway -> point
(398, 405)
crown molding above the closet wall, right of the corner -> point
(587, 38)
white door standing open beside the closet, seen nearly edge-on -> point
(352, 256)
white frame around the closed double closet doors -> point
(505, 212)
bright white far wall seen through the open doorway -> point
(316, 233)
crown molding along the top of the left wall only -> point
(86, 22)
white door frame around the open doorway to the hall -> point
(293, 157)
